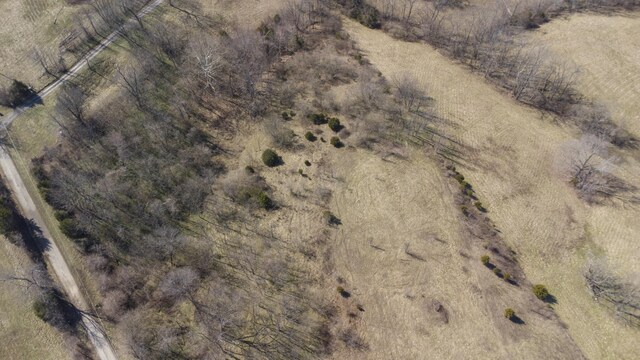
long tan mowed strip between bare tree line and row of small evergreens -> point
(511, 165)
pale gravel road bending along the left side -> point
(56, 260)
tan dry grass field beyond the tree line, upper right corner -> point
(608, 59)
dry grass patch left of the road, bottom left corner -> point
(22, 334)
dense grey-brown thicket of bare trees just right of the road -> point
(133, 174)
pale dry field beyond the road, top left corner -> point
(27, 25)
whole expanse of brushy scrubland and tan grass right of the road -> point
(402, 153)
